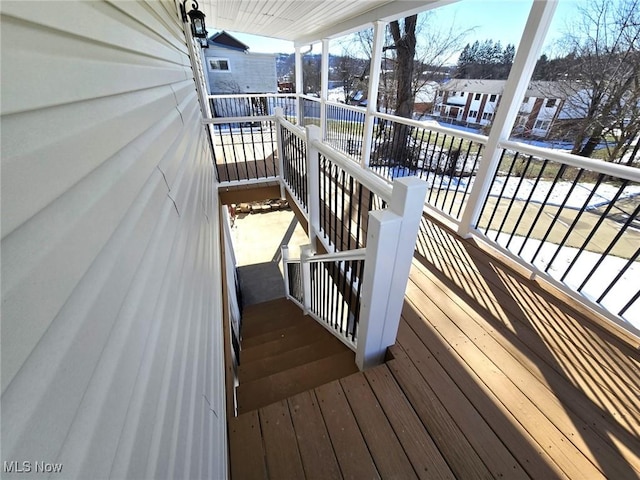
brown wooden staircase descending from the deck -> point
(285, 353)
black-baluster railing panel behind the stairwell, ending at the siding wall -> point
(245, 151)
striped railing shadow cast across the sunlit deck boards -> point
(567, 352)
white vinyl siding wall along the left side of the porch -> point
(112, 359)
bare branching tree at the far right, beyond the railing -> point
(602, 64)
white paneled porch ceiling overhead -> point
(306, 21)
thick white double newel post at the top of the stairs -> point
(391, 239)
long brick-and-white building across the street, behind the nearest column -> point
(475, 102)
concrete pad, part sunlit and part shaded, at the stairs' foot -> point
(257, 238)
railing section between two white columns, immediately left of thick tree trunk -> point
(345, 129)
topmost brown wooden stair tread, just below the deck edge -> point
(270, 389)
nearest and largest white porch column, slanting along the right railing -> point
(514, 91)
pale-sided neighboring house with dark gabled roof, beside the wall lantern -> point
(231, 68)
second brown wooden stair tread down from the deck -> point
(324, 346)
